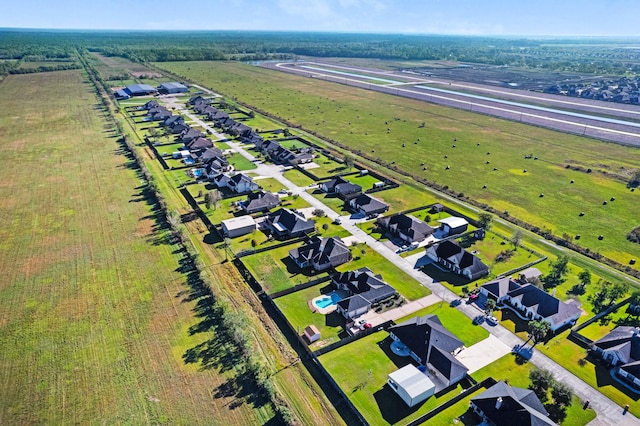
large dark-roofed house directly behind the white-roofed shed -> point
(430, 344)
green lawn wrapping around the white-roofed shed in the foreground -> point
(361, 369)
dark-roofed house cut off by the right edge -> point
(620, 349)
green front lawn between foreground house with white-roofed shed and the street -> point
(455, 321)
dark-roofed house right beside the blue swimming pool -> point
(364, 288)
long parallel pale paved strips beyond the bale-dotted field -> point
(595, 119)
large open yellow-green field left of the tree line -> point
(94, 317)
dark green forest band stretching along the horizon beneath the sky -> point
(612, 56)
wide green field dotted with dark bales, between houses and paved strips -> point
(485, 155)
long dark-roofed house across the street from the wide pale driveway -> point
(531, 302)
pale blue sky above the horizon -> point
(468, 17)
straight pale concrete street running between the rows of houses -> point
(608, 412)
